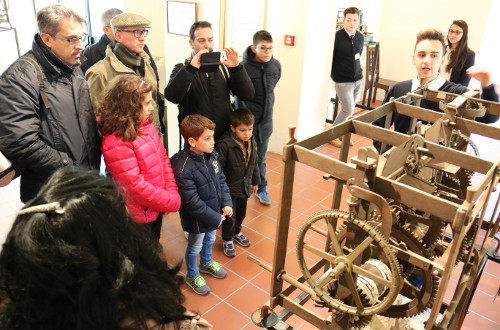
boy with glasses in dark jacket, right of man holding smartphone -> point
(264, 71)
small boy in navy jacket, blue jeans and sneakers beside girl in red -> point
(205, 198)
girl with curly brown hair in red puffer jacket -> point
(133, 153)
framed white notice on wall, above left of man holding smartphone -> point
(180, 16)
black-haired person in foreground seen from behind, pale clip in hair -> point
(74, 259)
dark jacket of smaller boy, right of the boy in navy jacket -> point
(240, 177)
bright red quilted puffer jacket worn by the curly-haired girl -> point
(143, 170)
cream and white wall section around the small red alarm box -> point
(302, 93)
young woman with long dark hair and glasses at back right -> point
(459, 57)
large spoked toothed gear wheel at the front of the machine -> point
(345, 263)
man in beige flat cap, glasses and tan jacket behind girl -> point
(124, 56)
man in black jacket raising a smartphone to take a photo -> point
(208, 93)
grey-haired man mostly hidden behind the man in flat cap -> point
(96, 52)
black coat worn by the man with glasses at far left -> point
(40, 140)
